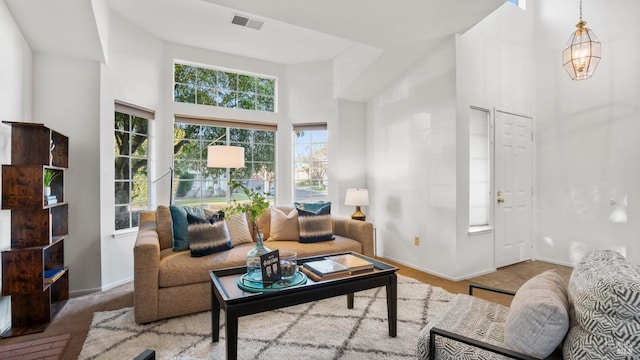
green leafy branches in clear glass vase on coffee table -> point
(254, 208)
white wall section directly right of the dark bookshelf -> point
(66, 98)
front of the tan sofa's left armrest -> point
(146, 267)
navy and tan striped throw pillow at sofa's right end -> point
(315, 226)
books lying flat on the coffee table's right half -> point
(336, 266)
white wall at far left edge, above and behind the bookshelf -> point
(15, 105)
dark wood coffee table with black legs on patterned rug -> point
(226, 295)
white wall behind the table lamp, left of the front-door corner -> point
(411, 163)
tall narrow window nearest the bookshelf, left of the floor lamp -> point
(131, 153)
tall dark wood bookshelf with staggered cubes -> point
(38, 229)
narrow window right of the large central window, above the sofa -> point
(310, 162)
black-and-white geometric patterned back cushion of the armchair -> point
(604, 292)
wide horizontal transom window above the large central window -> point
(217, 87)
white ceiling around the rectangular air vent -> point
(298, 31)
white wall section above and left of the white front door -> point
(494, 68)
